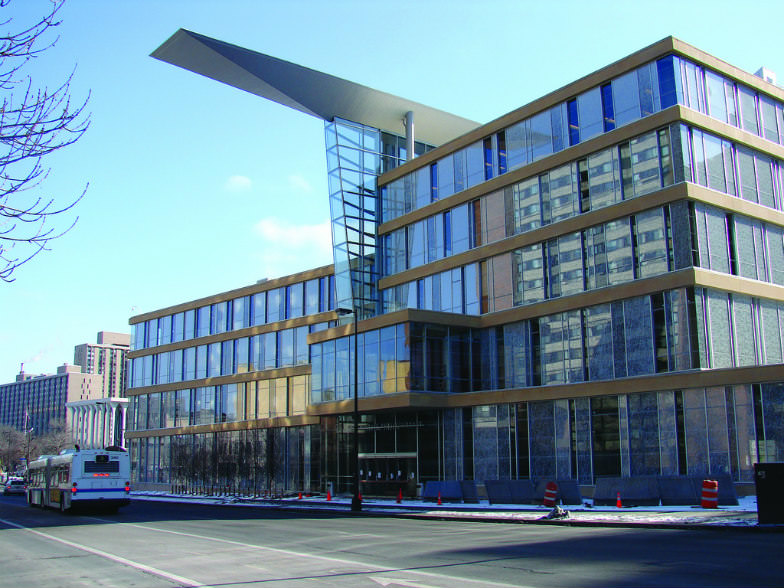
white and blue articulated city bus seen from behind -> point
(97, 478)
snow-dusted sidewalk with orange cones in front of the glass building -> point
(743, 516)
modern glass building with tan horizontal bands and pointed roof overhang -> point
(589, 286)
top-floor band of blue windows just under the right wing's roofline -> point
(670, 80)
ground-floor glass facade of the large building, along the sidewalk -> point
(696, 431)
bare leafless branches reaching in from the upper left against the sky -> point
(34, 122)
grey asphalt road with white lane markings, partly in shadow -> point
(151, 544)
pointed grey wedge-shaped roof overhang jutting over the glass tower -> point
(307, 90)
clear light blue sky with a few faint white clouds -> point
(196, 188)
